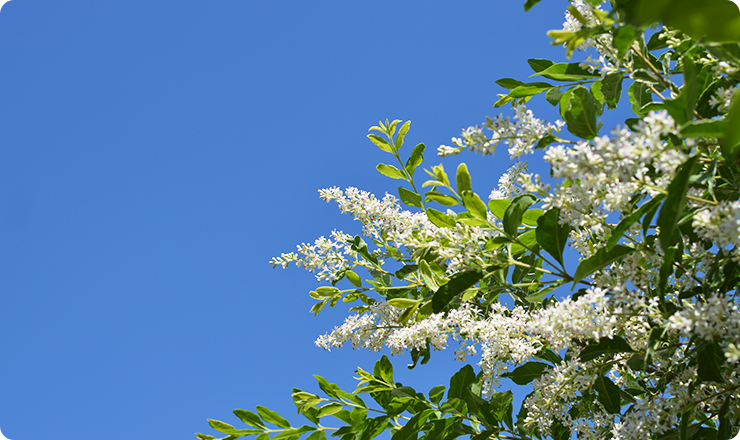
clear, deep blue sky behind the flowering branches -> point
(155, 155)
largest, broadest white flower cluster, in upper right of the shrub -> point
(609, 171)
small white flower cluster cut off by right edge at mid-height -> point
(720, 224)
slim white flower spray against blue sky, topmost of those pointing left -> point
(520, 135)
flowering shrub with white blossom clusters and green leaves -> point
(647, 346)
